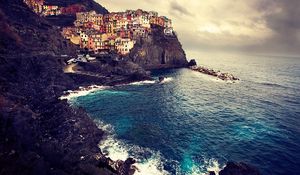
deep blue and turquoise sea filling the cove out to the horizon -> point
(192, 123)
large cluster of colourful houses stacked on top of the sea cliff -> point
(116, 31)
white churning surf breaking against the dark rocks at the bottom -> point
(149, 162)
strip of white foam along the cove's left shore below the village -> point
(82, 91)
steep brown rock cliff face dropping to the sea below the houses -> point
(158, 51)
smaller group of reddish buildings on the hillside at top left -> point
(42, 8)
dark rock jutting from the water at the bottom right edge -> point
(233, 168)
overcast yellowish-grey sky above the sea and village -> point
(270, 27)
